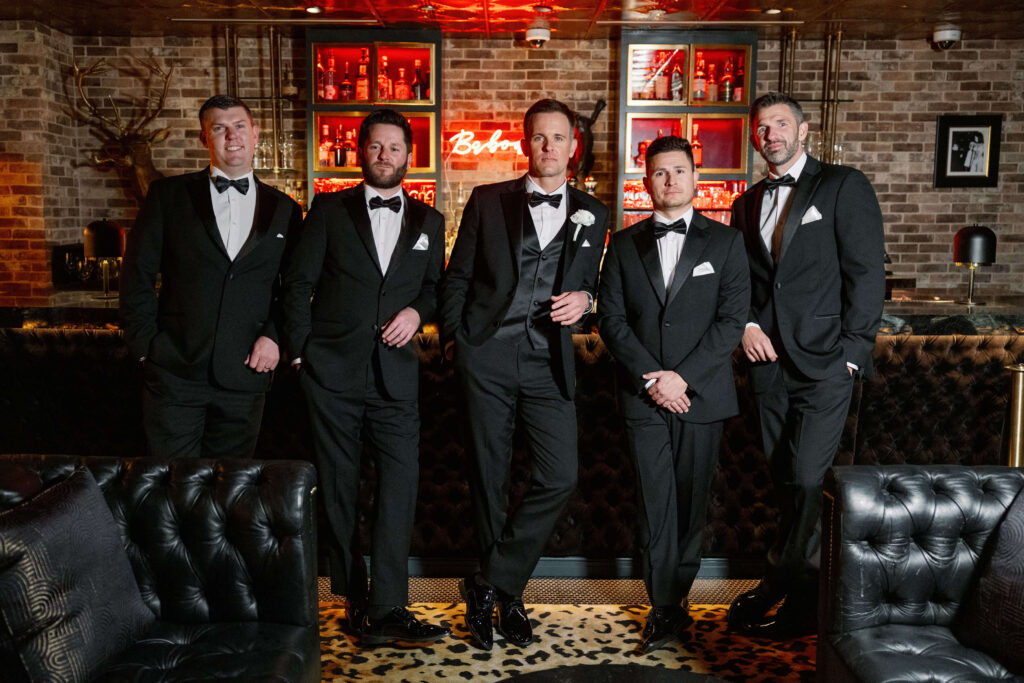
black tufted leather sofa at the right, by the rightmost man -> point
(901, 547)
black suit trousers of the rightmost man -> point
(801, 425)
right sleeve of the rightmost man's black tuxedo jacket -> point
(861, 241)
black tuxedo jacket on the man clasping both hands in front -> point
(693, 329)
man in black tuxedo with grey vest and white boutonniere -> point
(524, 271)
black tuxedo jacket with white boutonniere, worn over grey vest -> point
(484, 271)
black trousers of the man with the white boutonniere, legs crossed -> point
(500, 381)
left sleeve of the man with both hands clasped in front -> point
(614, 326)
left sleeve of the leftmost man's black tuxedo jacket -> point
(139, 275)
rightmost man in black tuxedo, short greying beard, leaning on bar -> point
(816, 245)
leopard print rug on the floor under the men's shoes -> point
(567, 635)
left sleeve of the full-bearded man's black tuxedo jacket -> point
(303, 274)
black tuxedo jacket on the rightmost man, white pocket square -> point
(823, 303)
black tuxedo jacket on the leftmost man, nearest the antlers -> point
(210, 310)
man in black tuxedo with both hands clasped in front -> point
(675, 291)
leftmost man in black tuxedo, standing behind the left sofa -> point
(209, 340)
